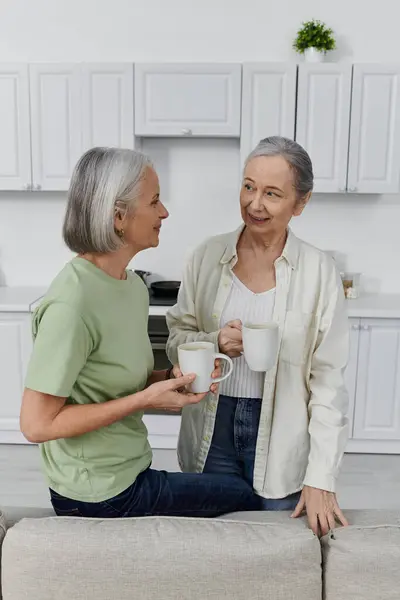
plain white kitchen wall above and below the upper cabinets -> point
(200, 178)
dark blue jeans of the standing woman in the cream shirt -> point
(233, 446)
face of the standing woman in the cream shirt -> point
(268, 199)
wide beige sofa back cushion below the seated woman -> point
(157, 558)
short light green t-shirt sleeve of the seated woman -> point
(60, 350)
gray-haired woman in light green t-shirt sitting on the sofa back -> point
(91, 373)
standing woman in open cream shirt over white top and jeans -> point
(284, 431)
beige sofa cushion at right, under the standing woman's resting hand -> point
(361, 562)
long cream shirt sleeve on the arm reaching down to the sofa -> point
(329, 399)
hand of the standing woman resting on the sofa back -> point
(322, 510)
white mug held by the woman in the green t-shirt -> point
(199, 358)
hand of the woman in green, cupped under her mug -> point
(171, 394)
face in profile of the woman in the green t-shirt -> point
(142, 226)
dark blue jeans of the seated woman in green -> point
(162, 493)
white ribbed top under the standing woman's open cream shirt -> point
(243, 304)
